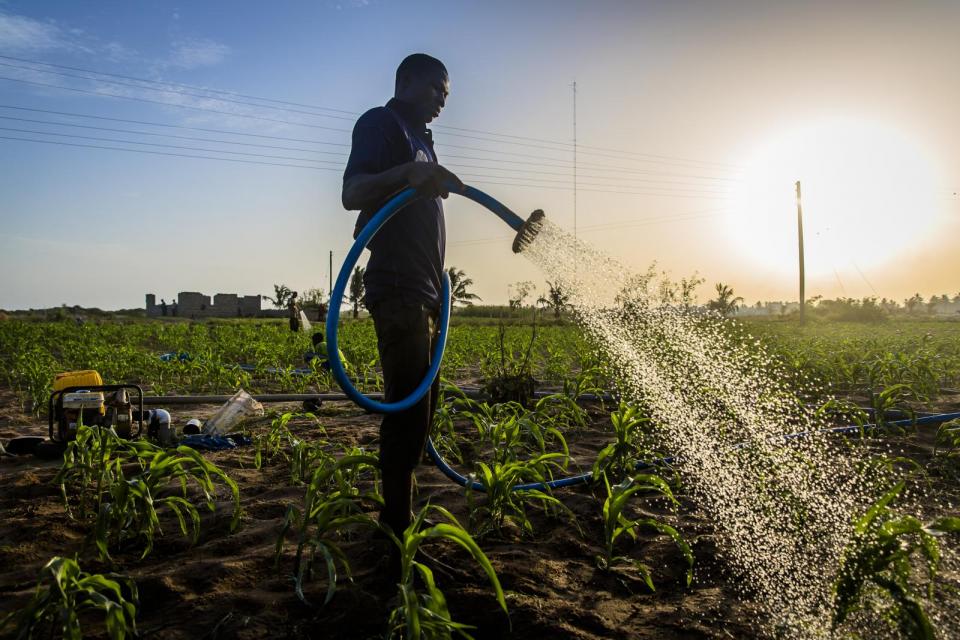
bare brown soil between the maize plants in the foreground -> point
(227, 586)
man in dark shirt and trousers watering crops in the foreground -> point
(393, 150)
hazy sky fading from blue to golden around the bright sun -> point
(693, 121)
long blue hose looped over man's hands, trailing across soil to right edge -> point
(516, 223)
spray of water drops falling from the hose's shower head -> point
(783, 511)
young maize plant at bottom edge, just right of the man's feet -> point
(423, 613)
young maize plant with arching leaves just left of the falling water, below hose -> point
(616, 523)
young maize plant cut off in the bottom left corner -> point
(64, 592)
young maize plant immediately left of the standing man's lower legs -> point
(333, 504)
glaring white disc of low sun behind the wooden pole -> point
(868, 193)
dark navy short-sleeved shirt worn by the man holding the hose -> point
(406, 255)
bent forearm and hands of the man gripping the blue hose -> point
(365, 191)
